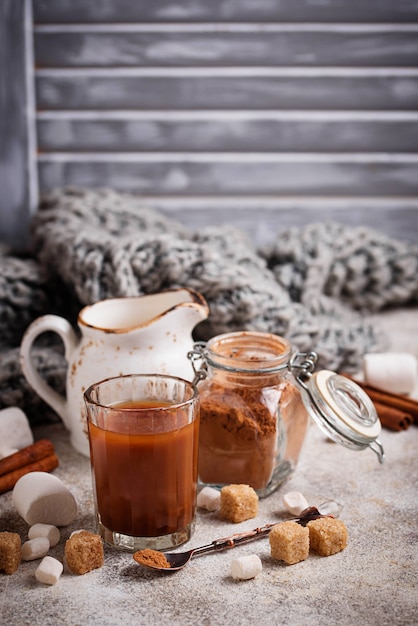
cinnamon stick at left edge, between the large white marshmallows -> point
(38, 457)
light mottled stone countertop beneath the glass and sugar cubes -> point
(373, 581)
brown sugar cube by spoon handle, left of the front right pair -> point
(289, 542)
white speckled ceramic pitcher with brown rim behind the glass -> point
(140, 334)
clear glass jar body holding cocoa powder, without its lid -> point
(250, 421)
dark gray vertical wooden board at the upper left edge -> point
(18, 167)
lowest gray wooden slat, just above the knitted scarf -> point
(263, 219)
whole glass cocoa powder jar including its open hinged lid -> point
(256, 397)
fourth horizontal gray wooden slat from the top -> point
(226, 133)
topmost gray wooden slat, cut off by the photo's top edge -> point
(68, 11)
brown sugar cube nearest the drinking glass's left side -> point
(84, 552)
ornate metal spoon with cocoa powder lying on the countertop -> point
(177, 560)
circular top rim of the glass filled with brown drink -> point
(109, 407)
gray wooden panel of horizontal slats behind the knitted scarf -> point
(261, 114)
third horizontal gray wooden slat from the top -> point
(356, 92)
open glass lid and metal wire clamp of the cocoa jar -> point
(337, 405)
